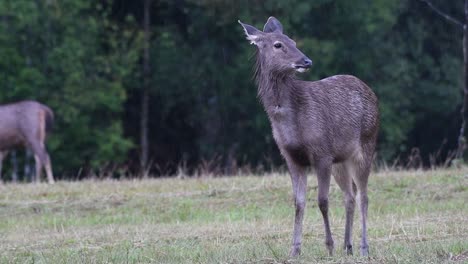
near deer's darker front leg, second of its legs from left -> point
(323, 168)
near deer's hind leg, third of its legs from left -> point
(343, 176)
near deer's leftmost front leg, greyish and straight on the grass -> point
(299, 184)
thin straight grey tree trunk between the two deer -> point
(145, 93)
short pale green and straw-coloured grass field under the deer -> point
(414, 217)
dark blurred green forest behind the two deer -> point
(166, 85)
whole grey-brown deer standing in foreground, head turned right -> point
(330, 124)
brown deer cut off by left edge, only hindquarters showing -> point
(26, 124)
